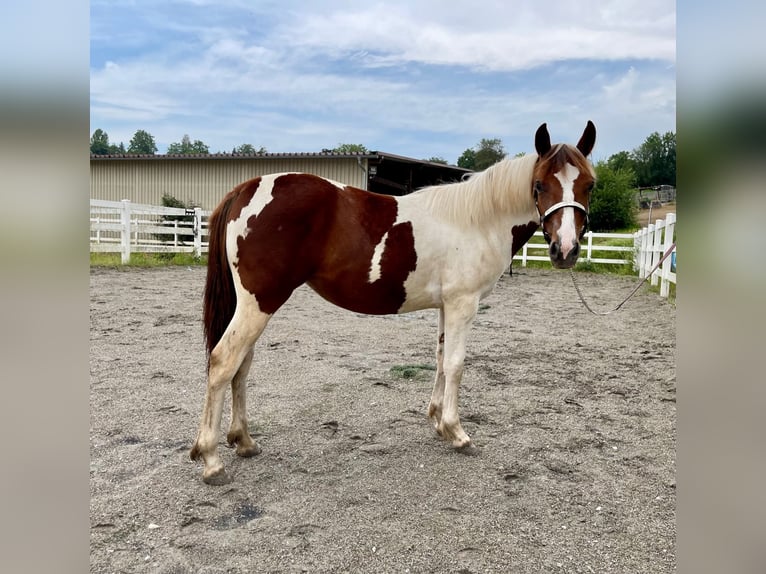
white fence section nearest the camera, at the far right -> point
(652, 242)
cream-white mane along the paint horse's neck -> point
(505, 187)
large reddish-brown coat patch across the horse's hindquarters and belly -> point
(313, 232)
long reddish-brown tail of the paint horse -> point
(220, 299)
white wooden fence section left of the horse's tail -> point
(124, 227)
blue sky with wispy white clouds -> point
(419, 78)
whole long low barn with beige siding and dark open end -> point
(202, 180)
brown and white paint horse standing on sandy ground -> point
(440, 247)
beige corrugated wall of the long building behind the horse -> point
(204, 182)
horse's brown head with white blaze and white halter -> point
(562, 183)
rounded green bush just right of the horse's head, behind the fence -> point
(612, 204)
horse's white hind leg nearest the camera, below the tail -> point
(226, 361)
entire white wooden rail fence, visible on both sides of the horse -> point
(124, 227)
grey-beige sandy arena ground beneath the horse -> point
(574, 416)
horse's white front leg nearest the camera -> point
(458, 316)
